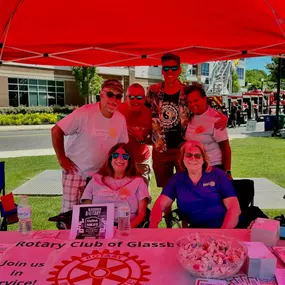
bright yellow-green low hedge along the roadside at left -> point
(28, 119)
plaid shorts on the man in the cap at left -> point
(73, 186)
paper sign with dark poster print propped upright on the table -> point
(92, 221)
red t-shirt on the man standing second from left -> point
(137, 122)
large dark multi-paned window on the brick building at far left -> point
(35, 92)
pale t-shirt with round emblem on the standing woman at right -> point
(201, 128)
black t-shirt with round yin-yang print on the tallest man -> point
(171, 120)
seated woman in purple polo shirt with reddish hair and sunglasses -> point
(205, 195)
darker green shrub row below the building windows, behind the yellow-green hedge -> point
(36, 109)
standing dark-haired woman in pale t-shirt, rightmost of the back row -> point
(201, 127)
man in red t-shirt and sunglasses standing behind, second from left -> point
(138, 118)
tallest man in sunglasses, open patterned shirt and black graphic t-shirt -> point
(169, 119)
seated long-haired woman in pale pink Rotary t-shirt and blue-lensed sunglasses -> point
(117, 182)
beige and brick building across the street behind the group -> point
(34, 85)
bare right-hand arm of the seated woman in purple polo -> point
(233, 213)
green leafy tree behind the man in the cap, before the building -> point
(87, 80)
